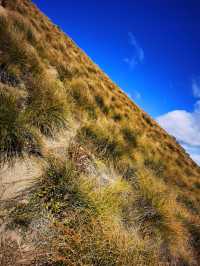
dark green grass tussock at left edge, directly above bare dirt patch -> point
(16, 136)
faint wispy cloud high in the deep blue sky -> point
(138, 52)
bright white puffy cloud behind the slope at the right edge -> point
(185, 126)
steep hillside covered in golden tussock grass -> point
(87, 177)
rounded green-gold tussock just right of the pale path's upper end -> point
(104, 144)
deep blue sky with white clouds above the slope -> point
(151, 49)
